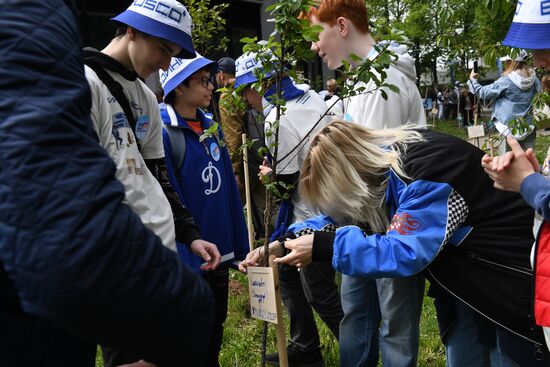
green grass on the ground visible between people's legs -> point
(242, 337)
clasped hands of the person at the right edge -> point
(509, 171)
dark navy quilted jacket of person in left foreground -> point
(75, 254)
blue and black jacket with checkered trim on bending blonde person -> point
(450, 223)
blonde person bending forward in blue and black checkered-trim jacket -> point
(409, 201)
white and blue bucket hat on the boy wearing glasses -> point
(181, 69)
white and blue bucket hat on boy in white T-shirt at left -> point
(166, 19)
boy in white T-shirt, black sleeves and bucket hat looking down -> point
(126, 118)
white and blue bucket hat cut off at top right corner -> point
(531, 26)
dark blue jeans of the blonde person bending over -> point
(463, 347)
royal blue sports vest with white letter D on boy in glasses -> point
(206, 185)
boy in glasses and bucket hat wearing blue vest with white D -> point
(201, 173)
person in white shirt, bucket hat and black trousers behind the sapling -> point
(314, 285)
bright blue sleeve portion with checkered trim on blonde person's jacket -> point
(415, 235)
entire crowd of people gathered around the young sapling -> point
(121, 211)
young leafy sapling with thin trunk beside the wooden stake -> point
(279, 55)
